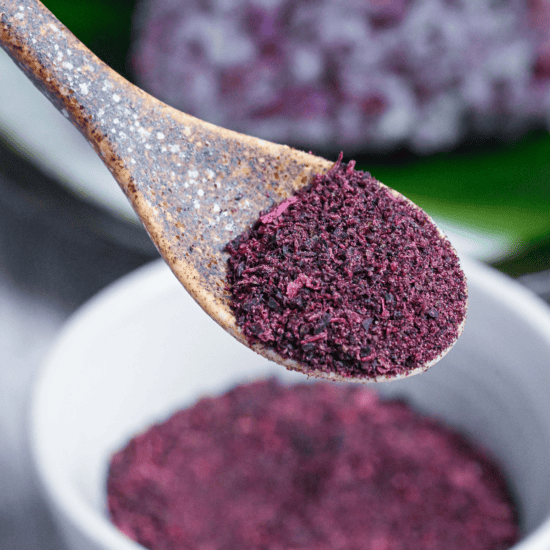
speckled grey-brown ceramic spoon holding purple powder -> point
(194, 186)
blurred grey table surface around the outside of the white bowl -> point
(54, 254)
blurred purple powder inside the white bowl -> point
(309, 467)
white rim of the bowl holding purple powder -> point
(154, 279)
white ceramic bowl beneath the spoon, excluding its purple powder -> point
(143, 348)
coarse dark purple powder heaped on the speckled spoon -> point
(345, 278)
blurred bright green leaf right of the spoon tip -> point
(502, 188)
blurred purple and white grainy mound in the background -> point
(359, 75)
